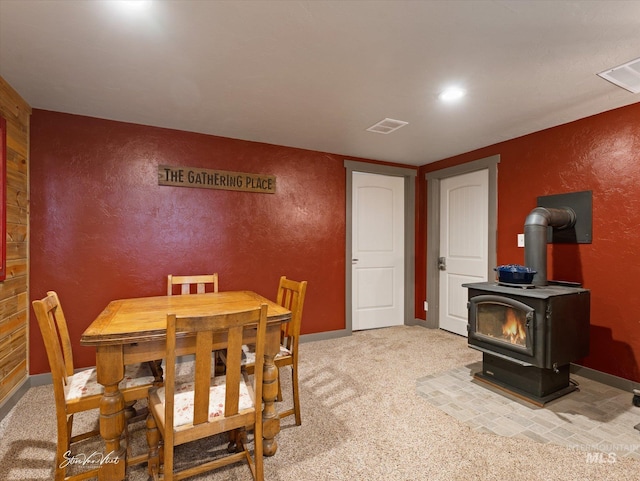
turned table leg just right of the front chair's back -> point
(270, 418)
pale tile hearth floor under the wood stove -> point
(596, 418)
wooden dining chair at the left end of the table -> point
(75, 392)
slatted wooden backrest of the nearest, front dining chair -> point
(207, 331)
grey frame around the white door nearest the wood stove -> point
(433, 226)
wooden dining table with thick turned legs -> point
(133, 330)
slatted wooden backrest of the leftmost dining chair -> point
(55, 334)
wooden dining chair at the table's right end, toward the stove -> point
(291, 295)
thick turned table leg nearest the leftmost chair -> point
(110, 367)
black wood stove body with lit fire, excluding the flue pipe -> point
(529, 336)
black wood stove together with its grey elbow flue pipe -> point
(529, 334)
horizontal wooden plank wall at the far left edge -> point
(14, 296)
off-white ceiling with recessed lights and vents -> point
(317, 74)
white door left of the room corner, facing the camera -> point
(378, 251)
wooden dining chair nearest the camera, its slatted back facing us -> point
(197, 405)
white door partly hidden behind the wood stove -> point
(463, 244)
